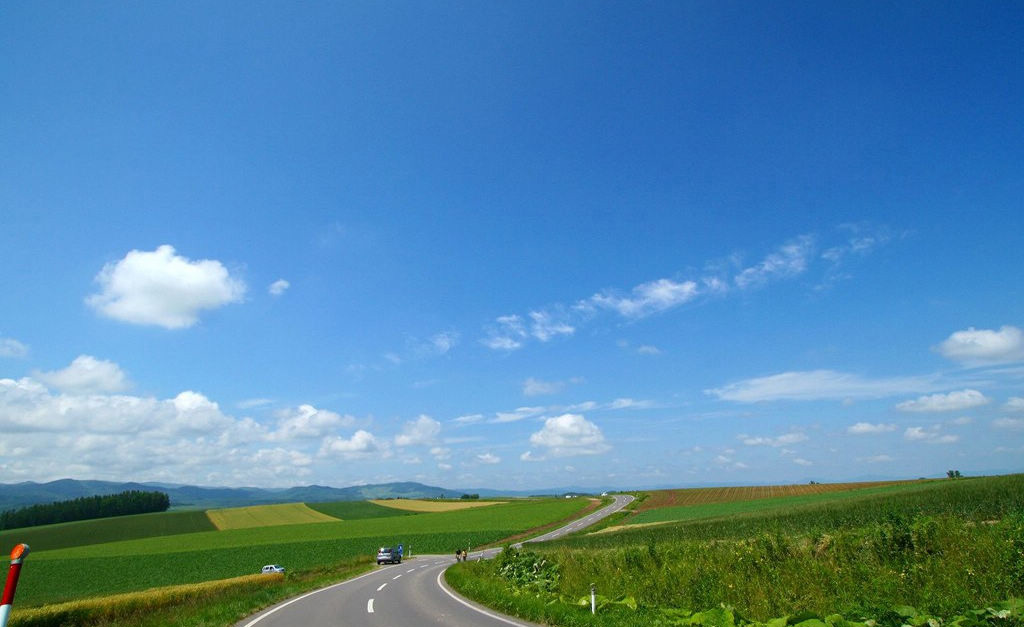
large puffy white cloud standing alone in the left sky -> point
(164, 289)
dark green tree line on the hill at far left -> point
(87, 509)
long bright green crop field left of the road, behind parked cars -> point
(95, 570)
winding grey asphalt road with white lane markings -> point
(410, 594)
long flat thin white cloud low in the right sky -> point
(818, 386)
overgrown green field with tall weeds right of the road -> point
(942, 550)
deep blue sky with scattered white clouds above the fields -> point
(510, 245)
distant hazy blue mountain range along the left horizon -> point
(14, 496)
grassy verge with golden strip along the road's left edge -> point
(214, 604)
